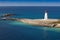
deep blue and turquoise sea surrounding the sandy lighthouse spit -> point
(12, 30)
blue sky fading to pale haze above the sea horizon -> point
(29, 2)
